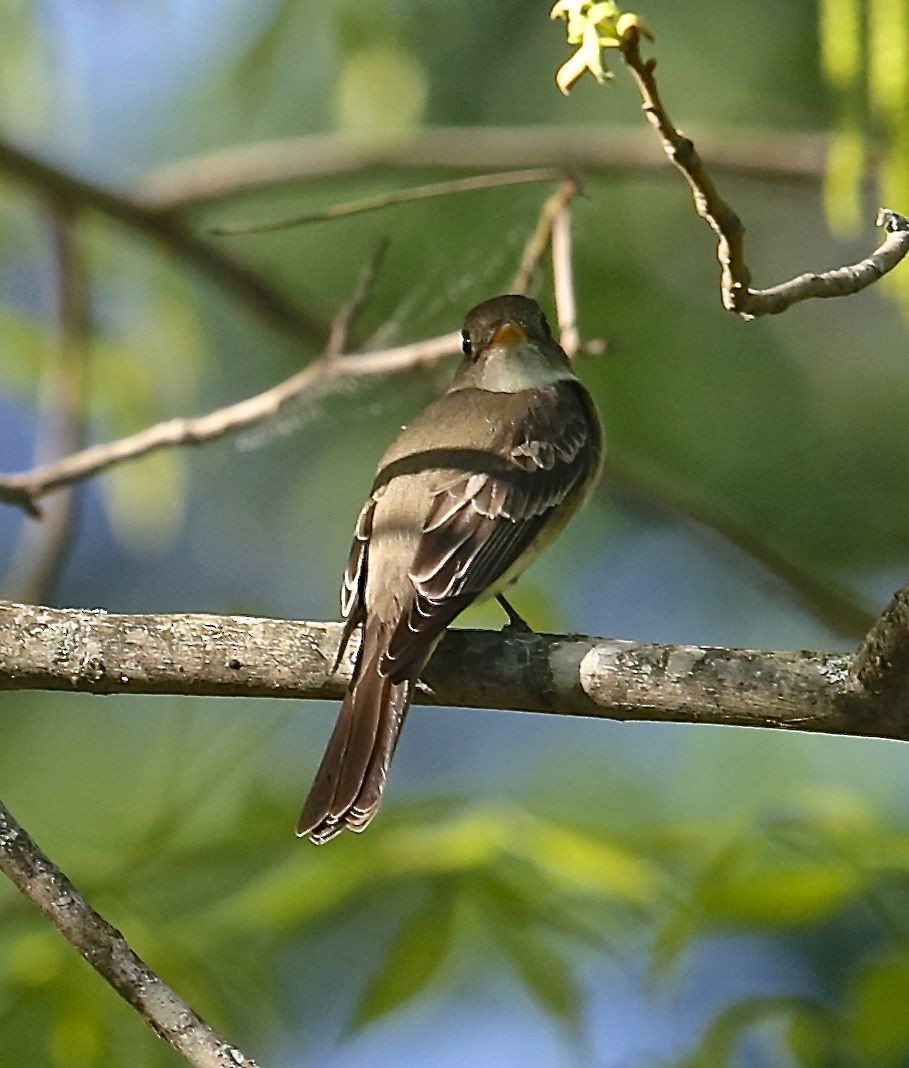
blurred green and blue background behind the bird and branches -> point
(639, 852)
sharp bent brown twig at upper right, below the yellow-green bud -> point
(735, 282)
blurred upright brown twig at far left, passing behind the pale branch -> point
(41, 553)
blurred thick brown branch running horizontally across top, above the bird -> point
(242, 170)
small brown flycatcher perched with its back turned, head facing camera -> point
(464, 500)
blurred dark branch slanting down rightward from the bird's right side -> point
(838, 608)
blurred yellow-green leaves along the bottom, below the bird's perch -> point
(460, 889)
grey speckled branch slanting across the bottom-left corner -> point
(108, 952)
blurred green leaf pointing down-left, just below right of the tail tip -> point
(413, 962)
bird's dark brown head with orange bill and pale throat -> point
(509, 347)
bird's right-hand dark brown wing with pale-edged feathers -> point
(481, 524)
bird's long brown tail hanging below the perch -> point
(350, 782)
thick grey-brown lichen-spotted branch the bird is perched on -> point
(43, 649)
